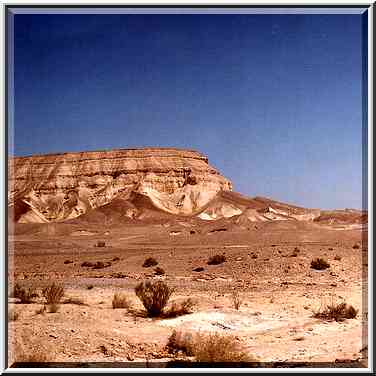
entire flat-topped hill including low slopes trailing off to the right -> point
(150, 184)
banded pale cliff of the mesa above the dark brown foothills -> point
(52, 187)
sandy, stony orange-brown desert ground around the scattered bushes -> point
(278, 289)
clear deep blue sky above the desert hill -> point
(274, 101)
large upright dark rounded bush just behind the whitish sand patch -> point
(154, 296)
